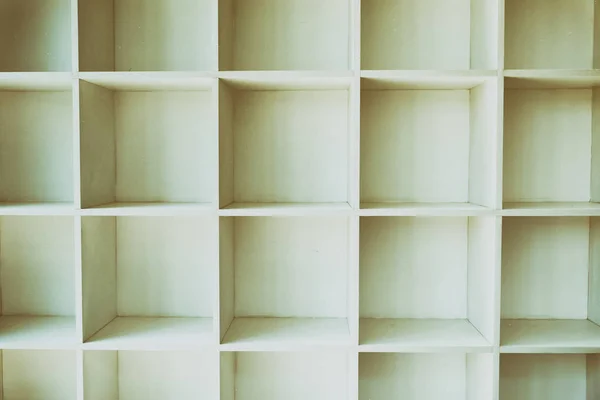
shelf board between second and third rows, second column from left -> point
(150, 209)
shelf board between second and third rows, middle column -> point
(285, 209)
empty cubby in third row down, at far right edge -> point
(550, 285)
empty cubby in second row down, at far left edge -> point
(36, 145)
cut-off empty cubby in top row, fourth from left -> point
(429, 34)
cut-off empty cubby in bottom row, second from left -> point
(150, 375)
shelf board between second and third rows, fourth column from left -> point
(423, 209)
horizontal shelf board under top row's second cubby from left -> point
(146, 81)
